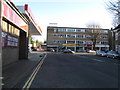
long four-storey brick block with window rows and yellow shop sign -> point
(75, 38)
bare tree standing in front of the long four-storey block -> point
(94, 33)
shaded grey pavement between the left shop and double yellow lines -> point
(15, 74)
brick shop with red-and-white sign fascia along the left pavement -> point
(15, 29)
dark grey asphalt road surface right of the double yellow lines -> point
(77, 71)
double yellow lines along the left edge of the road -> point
(32, 77)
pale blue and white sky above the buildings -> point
(68, 13)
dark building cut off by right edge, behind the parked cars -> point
(117, 38)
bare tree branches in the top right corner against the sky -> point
(114, 8)
